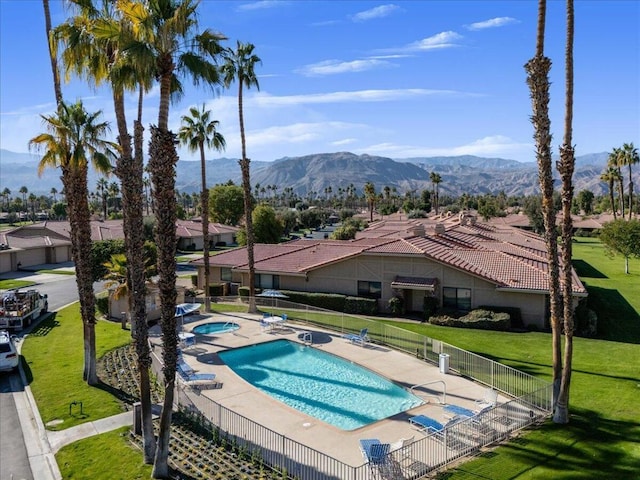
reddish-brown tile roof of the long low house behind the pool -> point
(506, 256)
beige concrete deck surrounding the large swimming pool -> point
(239, 396)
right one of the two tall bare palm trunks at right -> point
(566, 167)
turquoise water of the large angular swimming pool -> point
(319, 384)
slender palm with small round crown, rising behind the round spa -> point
(239, 65)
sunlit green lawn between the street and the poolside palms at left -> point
(53, 359)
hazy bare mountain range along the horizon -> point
(313, 173)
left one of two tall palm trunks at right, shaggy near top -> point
(538, 80)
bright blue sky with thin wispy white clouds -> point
(398, 79)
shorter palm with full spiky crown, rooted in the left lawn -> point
(73, 138)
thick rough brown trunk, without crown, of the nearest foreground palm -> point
(162, 160)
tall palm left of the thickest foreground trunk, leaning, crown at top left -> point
(94, 42)
